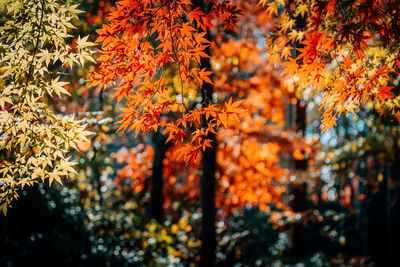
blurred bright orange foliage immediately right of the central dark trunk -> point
(252, 152)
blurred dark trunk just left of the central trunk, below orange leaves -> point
(157, 198)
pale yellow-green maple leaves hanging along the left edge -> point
(34, 141)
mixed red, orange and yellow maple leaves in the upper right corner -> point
(335, 47)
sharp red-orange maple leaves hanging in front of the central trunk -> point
(142, 45)
